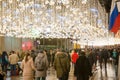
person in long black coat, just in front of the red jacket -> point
(82, 68)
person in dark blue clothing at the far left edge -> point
(5, 61)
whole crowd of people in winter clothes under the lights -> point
(34, 64)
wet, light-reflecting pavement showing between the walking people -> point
(103, 74)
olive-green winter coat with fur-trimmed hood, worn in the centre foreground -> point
(61, 59)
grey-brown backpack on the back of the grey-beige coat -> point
(40, 64)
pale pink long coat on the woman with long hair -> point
(28, 68)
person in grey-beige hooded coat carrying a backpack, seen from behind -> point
(41, 64)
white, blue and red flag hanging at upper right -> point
(114, 23)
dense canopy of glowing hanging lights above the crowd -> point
(77, 19)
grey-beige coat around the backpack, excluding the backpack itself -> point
(41, 73)
